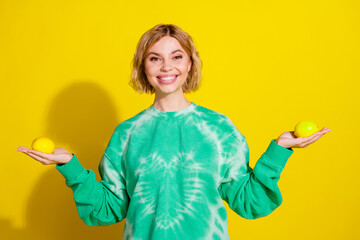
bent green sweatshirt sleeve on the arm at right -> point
(253, 193)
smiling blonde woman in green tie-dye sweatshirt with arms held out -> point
(168, 168)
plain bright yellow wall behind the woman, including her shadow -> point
(64, 72)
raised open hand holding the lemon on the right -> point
(289, 140)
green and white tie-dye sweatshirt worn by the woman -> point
(168, 172)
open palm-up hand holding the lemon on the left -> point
(60, 155)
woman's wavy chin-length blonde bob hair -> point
(138, 80)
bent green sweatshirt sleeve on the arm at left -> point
(98, 203)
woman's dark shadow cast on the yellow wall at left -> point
(81, 116)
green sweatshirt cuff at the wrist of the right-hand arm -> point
(278, 154)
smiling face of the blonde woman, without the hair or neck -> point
(167, 66)
